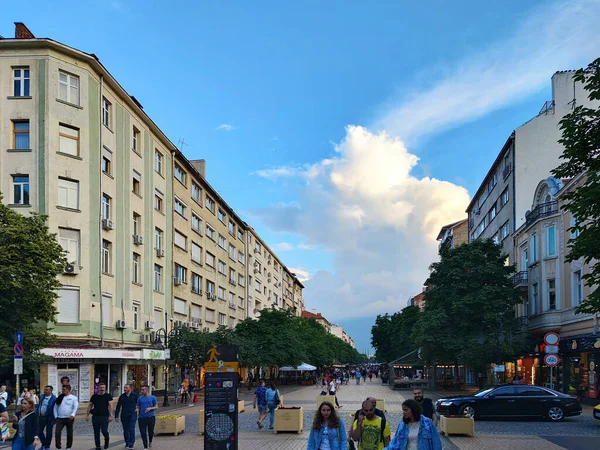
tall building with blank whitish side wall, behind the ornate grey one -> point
(528, 155)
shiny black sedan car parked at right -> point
(511, 400)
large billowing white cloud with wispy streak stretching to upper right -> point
(365, 204)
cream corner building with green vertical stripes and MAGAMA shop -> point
(77, 147)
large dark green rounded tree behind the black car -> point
(469, 313)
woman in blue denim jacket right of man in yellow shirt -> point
(415, 432)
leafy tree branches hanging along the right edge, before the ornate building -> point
(581, 141)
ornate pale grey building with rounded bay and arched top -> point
(552, 288)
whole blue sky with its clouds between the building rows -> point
(347, 133)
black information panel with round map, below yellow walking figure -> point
(221, 411)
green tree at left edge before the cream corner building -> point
(30, 261)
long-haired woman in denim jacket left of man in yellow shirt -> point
(327, 432)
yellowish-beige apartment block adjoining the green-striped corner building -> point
(209, 253)
